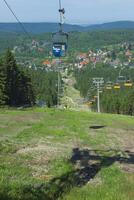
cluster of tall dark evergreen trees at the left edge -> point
(15, 84)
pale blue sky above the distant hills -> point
(77, 11)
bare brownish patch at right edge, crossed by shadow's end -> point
(123, 141)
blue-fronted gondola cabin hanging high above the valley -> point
(60, 44)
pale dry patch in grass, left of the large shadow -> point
(42, 155)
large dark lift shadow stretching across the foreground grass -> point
(87, 164)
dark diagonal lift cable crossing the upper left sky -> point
(20, 23)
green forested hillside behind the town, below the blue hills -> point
(87, 40)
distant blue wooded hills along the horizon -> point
(38, 28)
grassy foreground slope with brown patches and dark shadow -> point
(39, 159)
